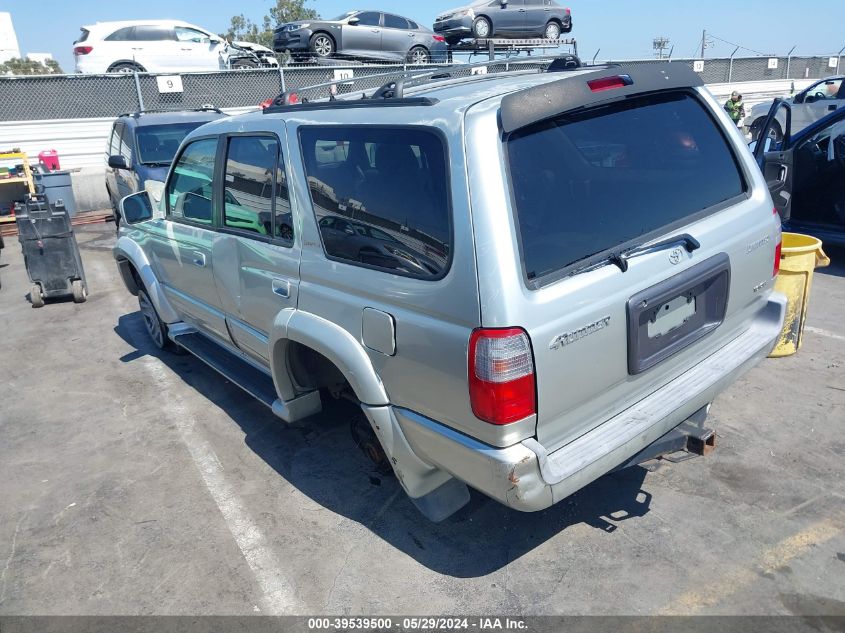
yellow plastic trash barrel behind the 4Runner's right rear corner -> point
(800, 256)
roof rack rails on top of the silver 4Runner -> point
(392, 92)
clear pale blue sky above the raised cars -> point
(616, 29)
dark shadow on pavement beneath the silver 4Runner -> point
(319, 458)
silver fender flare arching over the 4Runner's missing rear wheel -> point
(333, 342)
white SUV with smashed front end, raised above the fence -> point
(161, 46)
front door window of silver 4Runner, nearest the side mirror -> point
(189, 189)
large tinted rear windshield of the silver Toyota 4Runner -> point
(588, 182)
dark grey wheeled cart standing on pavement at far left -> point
(50, 252)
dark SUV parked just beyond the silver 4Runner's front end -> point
(142, 146)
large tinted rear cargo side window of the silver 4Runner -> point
(380, 196)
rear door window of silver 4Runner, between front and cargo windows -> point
(254, 185)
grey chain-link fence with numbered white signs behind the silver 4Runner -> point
(50, 97)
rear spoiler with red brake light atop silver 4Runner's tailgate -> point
(529, 106)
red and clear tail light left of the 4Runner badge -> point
(501, 375)
